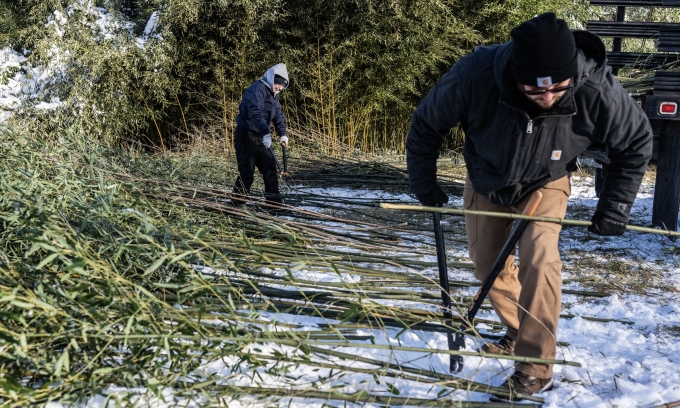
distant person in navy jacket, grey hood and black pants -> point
(259, 109)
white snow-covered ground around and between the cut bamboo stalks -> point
(632, 362)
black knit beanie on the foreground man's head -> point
(544, 51)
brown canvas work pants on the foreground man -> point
(527, 298)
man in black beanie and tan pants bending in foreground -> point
(528, 108)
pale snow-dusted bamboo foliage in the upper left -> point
(109, 84)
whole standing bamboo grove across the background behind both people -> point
(358, 68)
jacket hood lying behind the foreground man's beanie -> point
(591, 58)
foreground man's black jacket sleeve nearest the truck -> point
(628, 136)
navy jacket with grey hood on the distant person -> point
(260, 107)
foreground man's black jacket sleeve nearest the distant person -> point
(439, 112)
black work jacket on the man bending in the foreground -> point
(510, 153)
